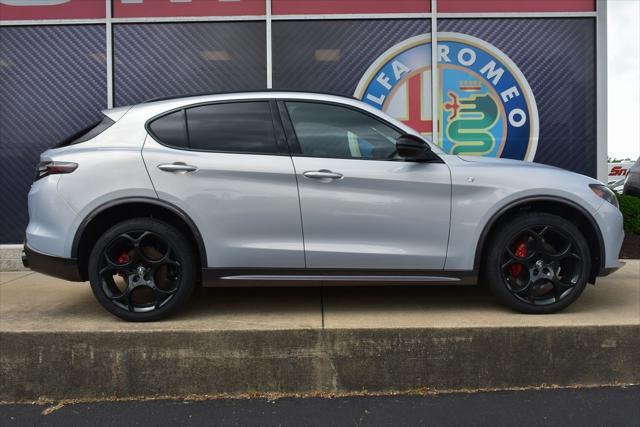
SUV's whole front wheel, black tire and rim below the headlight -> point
(537, 263)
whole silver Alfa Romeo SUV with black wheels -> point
(231, 189)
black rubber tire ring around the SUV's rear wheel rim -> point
(183, 254)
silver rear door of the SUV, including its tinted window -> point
(227, 166)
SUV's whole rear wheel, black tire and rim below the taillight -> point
(142, 270)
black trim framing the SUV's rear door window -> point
(278, 133)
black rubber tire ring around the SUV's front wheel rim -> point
(505, 235)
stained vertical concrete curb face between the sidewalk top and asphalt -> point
(68, 365)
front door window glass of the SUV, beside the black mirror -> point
(325, 130)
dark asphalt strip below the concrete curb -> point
(608, 406)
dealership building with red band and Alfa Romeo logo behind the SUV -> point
(519, 79)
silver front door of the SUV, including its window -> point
(362, 206)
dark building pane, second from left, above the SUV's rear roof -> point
(168, 59)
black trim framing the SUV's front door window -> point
(294, 144)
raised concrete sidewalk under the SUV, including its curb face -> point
(56, 341)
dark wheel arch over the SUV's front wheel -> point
(554, 205)
